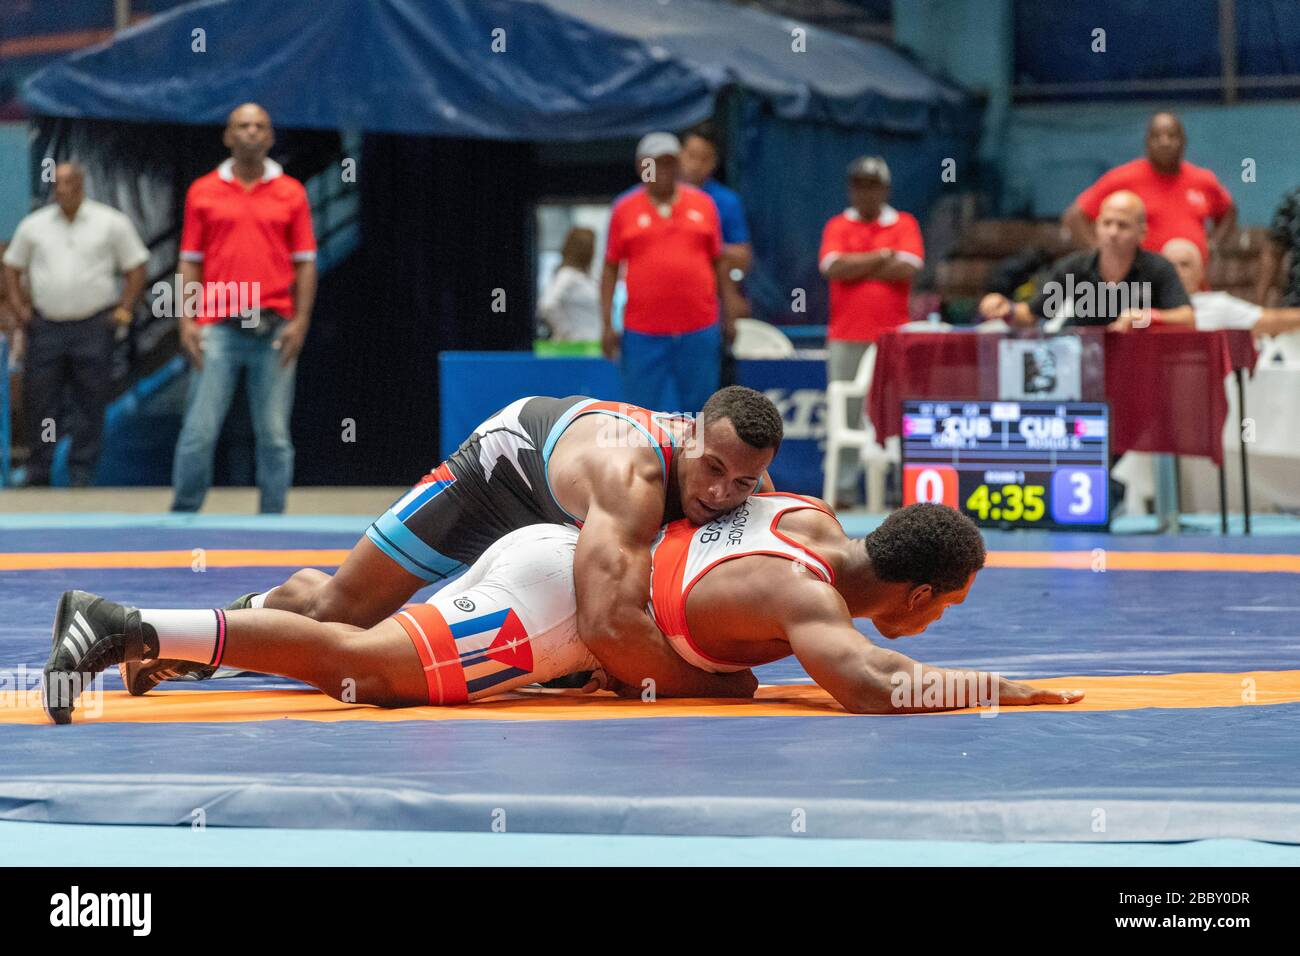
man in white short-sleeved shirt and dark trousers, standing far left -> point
(72, 254)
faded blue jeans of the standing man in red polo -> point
(227, 351)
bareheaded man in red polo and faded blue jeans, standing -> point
(248, 244)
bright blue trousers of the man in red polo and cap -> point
(673, 373)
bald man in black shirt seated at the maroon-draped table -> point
(1119, 284)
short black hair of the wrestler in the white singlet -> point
(928, 544)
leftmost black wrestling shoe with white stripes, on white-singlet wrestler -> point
(90, 634)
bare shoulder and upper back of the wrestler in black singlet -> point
(587, 465)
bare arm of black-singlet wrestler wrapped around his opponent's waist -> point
(612, 576)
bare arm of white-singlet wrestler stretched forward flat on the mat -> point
(870, 680)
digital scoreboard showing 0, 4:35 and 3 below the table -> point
(1011, 465)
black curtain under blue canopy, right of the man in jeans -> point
(444, 227)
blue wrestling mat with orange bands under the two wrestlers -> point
(1163, 613)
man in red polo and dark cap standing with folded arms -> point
(869, 254)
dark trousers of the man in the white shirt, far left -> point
(75, 358)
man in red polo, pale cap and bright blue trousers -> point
(670, 236)
